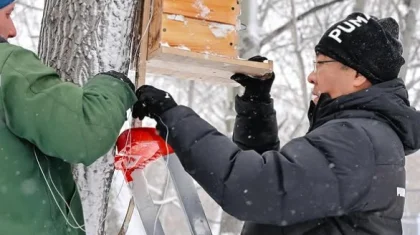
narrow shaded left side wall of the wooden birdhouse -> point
(155, 27)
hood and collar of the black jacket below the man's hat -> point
(387, 102)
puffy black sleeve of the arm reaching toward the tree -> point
(302, 181)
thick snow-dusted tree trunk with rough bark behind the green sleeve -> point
(80, 38)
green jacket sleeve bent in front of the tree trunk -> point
(63, 120)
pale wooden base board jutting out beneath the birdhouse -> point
(196, 66)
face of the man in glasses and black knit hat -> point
(332, 77)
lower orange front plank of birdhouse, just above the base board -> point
(199, 36)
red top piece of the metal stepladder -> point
(138, 146)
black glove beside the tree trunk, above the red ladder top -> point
(152, 102)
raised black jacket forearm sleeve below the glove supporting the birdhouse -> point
(255, 126)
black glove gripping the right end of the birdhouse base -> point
(256, 88)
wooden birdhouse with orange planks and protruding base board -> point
(195, 39)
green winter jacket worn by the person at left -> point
(55, 123)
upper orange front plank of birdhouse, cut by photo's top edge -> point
(222, 11)
